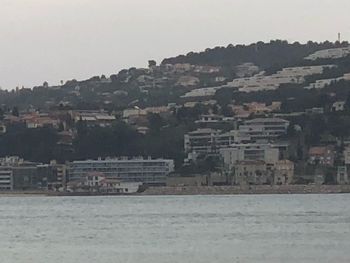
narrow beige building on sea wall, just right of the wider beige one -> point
(283, 172)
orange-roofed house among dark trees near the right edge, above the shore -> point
(322, 155)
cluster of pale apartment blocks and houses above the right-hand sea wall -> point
(258, 152)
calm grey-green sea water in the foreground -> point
(161, 229)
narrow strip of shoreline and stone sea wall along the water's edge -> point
(201, 190)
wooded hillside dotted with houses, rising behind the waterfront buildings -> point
(148, 111)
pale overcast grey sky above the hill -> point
(54, 40)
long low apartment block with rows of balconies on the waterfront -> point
(147, 171)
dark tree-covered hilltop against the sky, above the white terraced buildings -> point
(265, 55)
